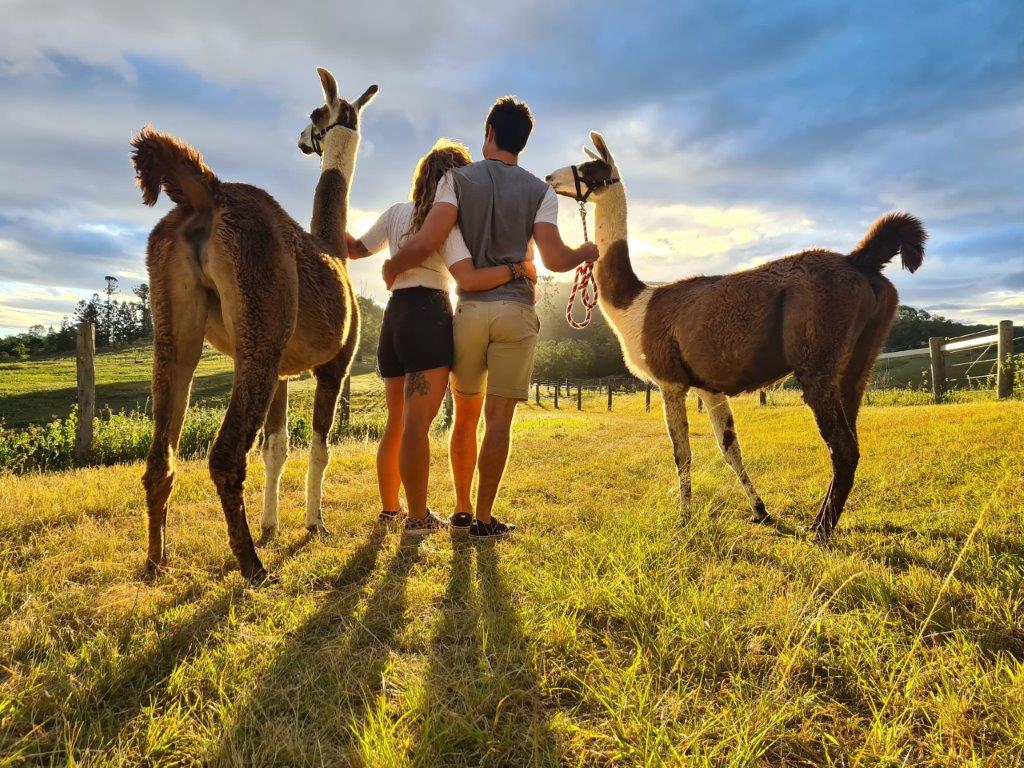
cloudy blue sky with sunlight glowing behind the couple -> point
(744, 132)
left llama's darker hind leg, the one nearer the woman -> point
(255, 382)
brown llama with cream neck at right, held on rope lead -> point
(818, 315)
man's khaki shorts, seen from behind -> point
(495, 343)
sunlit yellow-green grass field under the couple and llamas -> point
(609, 632)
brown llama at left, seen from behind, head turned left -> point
(229, 266)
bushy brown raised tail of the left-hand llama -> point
(162, 161)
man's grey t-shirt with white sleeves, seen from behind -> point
(498, 206)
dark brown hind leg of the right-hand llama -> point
(827, 403)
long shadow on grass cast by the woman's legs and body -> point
(312, 703)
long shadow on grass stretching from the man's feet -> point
(483, 702)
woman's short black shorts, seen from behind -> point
(416, 334)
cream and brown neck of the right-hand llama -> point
(618, 285)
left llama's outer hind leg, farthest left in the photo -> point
(179, 317)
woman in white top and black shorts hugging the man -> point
(415, 352)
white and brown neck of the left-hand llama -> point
(331, 199)
